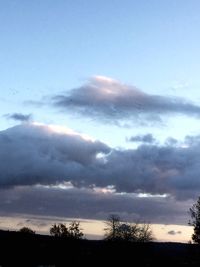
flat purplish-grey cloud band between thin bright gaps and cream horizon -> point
(87, 203)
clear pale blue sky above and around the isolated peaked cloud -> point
(47, 48)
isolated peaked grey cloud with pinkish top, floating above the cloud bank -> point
(109, 100)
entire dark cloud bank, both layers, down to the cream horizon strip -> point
(54, 171)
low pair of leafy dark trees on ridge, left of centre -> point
(61, 230)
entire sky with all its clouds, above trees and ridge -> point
(100, 110)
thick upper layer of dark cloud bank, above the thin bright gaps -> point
(37, 154)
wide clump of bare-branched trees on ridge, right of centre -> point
(121, 231)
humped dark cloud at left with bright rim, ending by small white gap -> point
(46, 154)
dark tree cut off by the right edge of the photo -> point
(195, 221)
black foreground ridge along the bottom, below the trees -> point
(19, 249)
